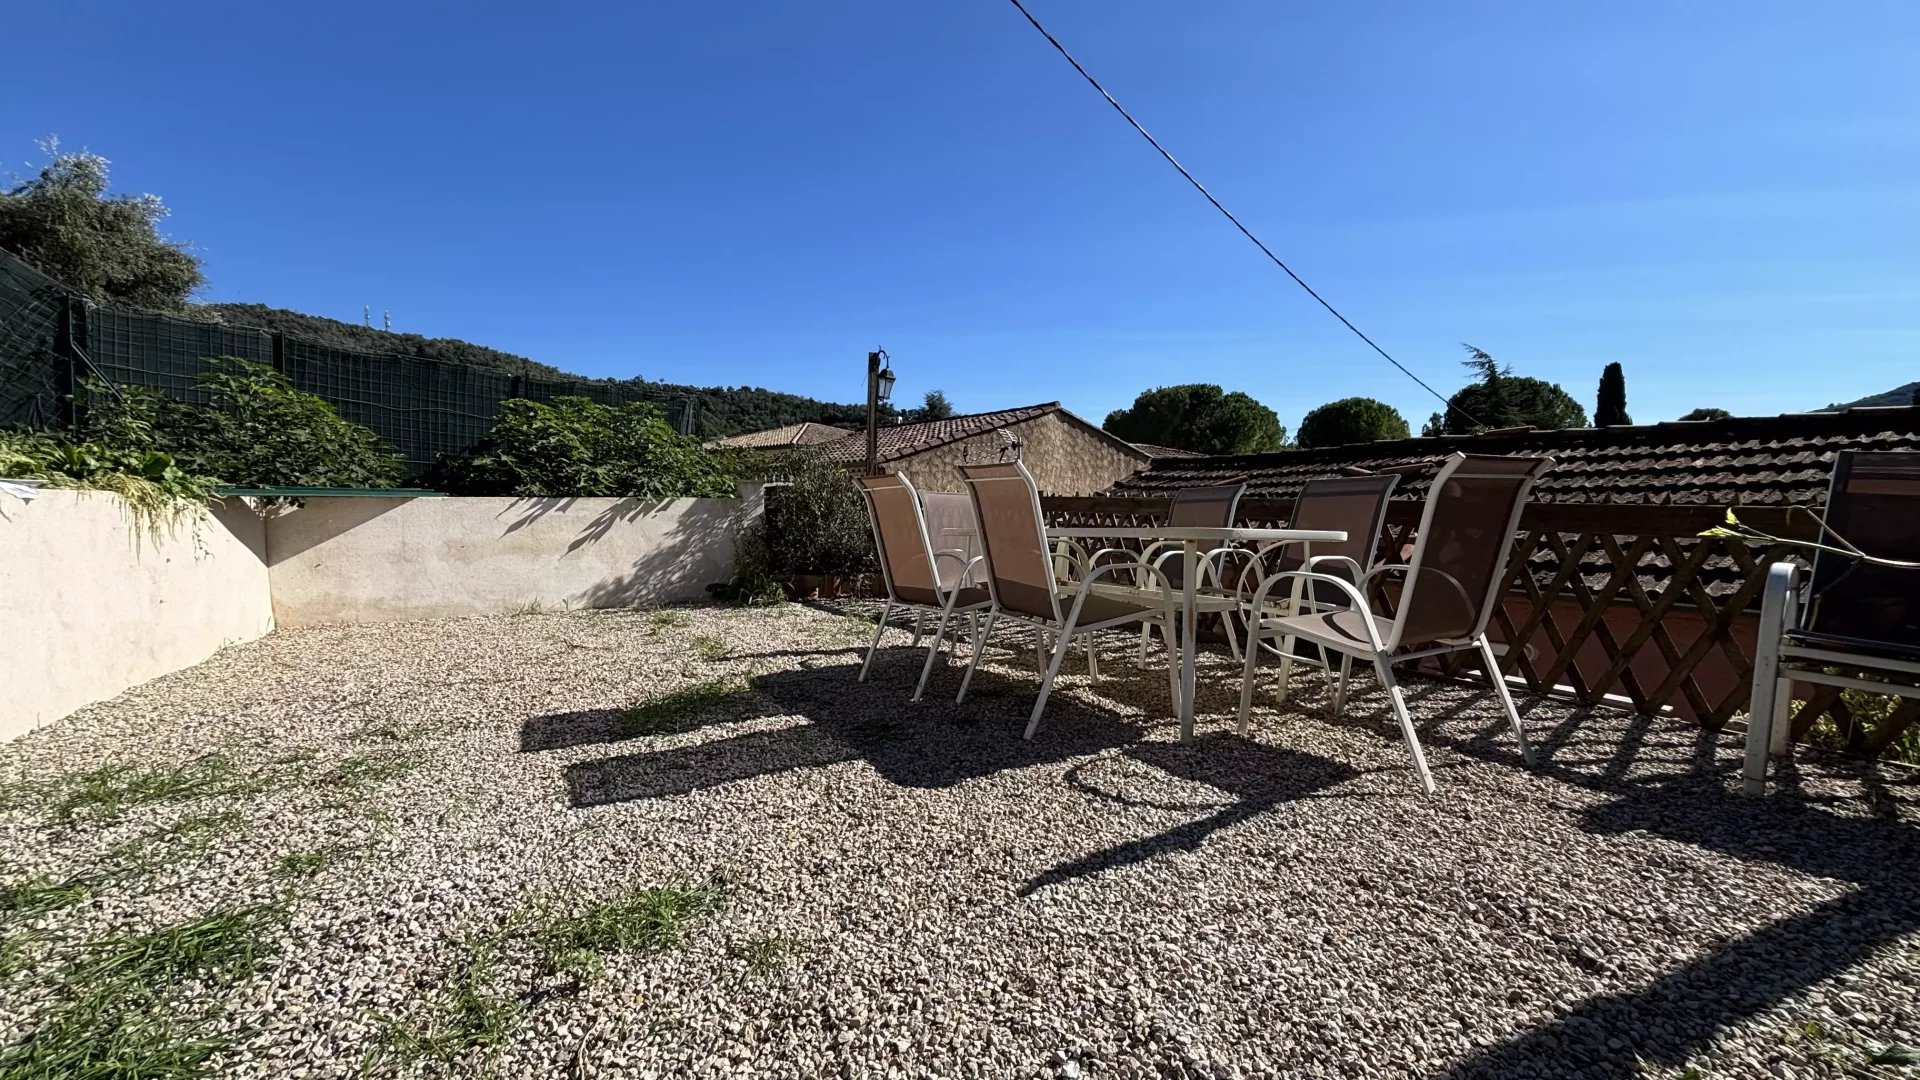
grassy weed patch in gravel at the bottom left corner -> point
(108, 1018)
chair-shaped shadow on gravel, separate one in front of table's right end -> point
(1260, 775)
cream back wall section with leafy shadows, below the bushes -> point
(373, 560)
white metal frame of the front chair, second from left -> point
(1063, 626)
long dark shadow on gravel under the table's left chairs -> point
(919, 745)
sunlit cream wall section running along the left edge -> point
(91, 604)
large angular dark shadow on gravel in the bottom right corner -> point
(1677, 785)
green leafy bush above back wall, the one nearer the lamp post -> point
(577, 447)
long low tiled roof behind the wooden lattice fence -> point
(1744, 460)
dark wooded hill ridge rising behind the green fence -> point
(717, 410)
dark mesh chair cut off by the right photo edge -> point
(1863, 602)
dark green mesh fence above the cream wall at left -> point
(421, 406)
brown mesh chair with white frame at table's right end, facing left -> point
(1447, 597)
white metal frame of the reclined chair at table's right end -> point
(1381, 650)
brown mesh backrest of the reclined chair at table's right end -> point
(1462, 551)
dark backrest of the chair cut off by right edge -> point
(1875, 504)
